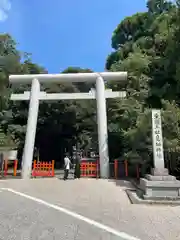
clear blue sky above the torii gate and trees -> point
(63, 33)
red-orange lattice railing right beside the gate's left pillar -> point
(43, 169)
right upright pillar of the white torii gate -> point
(102, 127)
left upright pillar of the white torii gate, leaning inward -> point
(31, 130)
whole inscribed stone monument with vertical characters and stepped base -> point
(159, 185)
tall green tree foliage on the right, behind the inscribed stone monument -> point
(147, 46)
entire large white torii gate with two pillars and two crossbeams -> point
(100, 94)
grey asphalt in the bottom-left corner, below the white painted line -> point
(24, 219)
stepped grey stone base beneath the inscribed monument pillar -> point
(159, 185)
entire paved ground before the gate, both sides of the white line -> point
(100, 200)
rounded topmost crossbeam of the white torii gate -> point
(68, 77)
